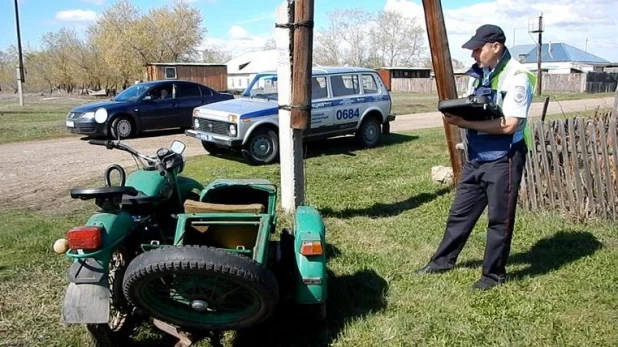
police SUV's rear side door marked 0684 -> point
(347, 101)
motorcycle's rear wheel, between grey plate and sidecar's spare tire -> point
(121, 321)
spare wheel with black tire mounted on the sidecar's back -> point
(202, 288)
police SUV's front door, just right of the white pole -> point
(322, 106)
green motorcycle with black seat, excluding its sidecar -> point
(139, 211)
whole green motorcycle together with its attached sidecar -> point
(211, 261)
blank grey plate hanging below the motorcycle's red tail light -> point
(86, 303)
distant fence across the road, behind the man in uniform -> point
(591, 82)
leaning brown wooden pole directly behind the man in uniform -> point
(445, 80)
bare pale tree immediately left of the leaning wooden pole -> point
(397, 40)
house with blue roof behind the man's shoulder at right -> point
(558, 58)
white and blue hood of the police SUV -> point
(244, 107)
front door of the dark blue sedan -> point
(156, 109)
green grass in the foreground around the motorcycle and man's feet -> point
(385, 217)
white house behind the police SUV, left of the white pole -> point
(242, 69)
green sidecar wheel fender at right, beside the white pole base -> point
(311, 286)
